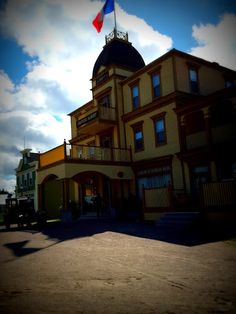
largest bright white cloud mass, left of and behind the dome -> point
(60, 35)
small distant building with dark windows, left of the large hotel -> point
(26, 177)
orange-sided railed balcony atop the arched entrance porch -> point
(84, 153)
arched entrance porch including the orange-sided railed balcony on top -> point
(75, 174)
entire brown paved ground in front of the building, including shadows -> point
(102, 267)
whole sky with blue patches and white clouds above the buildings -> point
(48, 49)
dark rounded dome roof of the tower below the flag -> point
(121, 53)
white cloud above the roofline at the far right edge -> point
(217, 42)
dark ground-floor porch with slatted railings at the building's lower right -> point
(214, 199)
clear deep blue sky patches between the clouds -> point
(171, 17)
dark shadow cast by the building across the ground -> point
(59, 232)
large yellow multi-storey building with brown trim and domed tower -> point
(168, 124)
